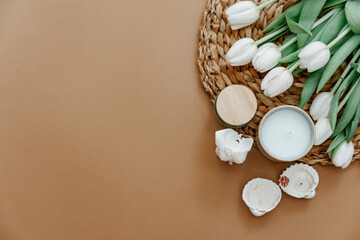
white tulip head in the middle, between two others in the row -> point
(266, 57)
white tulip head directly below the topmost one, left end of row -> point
(242, 52)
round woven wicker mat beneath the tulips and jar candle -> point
(216, 37)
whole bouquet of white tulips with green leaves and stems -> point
(321, 35)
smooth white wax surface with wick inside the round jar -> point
(286, 134)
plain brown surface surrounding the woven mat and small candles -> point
(106, 133)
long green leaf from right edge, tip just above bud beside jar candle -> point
(338, 58)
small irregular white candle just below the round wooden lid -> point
(231, 146)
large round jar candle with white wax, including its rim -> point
(286, 133)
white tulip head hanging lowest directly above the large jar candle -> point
(277, 81)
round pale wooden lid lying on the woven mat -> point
(235, 106)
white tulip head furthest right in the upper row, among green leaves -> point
(314, 56)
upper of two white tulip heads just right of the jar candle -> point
(321, 105)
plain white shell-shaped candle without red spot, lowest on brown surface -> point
(261, 196)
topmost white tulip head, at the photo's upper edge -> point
(242, 14)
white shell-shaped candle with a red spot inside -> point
(299, 180)
